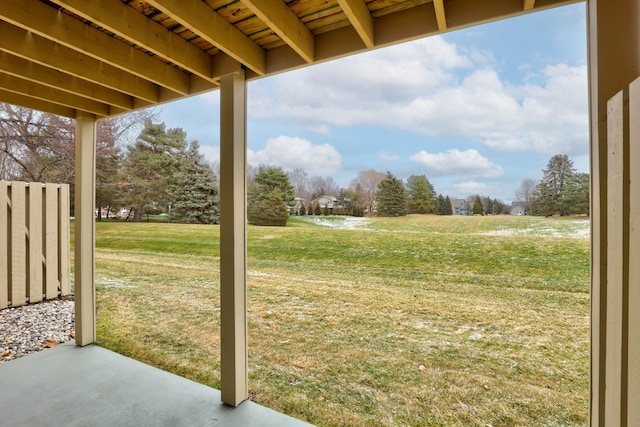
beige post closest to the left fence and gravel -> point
(85, 229)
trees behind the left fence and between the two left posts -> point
(161, 172)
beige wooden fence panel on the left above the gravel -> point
(34, 242)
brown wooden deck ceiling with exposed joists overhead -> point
(106, 57)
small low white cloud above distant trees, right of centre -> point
(456, 162)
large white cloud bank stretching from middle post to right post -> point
(436, 88)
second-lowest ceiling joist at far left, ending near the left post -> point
(44, 93)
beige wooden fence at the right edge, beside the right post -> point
(615, 315)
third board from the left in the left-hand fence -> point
(35, 243)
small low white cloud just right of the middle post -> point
(290, 152)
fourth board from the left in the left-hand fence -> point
(51, 241)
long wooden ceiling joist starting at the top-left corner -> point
(35, 16)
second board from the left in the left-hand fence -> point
(18, 291)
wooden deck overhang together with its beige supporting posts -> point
(93, 59)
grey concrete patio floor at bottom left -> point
(91, 386)
